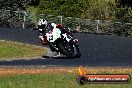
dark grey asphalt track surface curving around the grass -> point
(97, 50)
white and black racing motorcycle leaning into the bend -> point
(61, 42)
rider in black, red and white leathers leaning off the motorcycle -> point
(44, 27)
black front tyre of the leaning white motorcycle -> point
(67, 49)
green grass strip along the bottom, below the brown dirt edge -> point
(52, 79)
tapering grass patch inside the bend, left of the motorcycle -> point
(18, 50)
